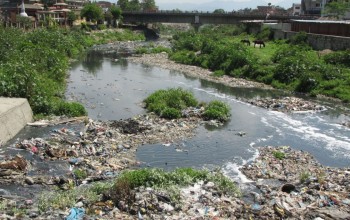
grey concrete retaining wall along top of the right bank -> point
(317, 41)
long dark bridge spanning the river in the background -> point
(202, 17)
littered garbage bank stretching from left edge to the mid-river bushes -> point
(100, 150)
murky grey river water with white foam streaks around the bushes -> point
(111, 88)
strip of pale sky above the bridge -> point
(227, 5)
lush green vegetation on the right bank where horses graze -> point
(290, 65)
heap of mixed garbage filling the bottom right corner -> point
(302, 189)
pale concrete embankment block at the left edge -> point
(15, 113)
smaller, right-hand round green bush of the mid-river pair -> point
(217, 110)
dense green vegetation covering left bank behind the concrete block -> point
(34, 65)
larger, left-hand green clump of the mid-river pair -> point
(169, 103)
